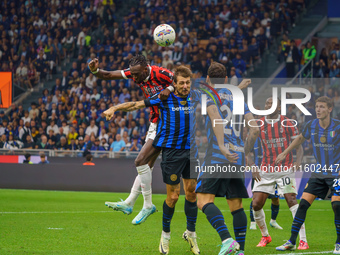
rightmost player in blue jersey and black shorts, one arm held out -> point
(324, 133)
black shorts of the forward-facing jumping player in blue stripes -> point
(176, 163)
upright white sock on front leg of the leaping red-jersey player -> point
(145, 176)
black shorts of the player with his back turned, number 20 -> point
(223, 187)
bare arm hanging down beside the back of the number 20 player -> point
(219, 133)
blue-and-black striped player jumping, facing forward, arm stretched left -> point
(173, 138)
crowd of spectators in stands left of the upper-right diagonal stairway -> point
(38, 36)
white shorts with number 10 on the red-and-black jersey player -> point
(285, 183)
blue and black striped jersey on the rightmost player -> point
(326, 145)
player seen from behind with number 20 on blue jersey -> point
(229, 186)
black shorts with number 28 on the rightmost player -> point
(319, 186)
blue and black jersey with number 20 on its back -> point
(232, 131)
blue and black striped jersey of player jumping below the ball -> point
(176, 127)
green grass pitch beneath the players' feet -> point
(57, 222)
